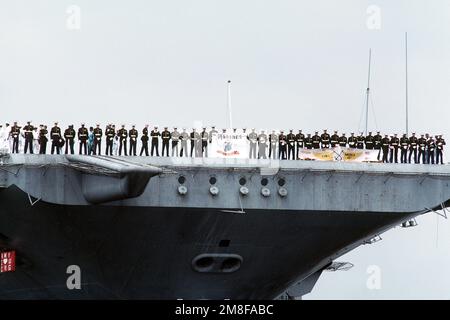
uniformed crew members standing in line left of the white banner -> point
(117, 141)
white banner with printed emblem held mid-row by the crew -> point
(229, 145)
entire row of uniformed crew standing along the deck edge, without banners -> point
(426, 149)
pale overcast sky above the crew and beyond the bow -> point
(294, 64)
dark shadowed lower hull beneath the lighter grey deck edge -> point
(146, 253)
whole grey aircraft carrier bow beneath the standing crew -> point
(169, 228)
